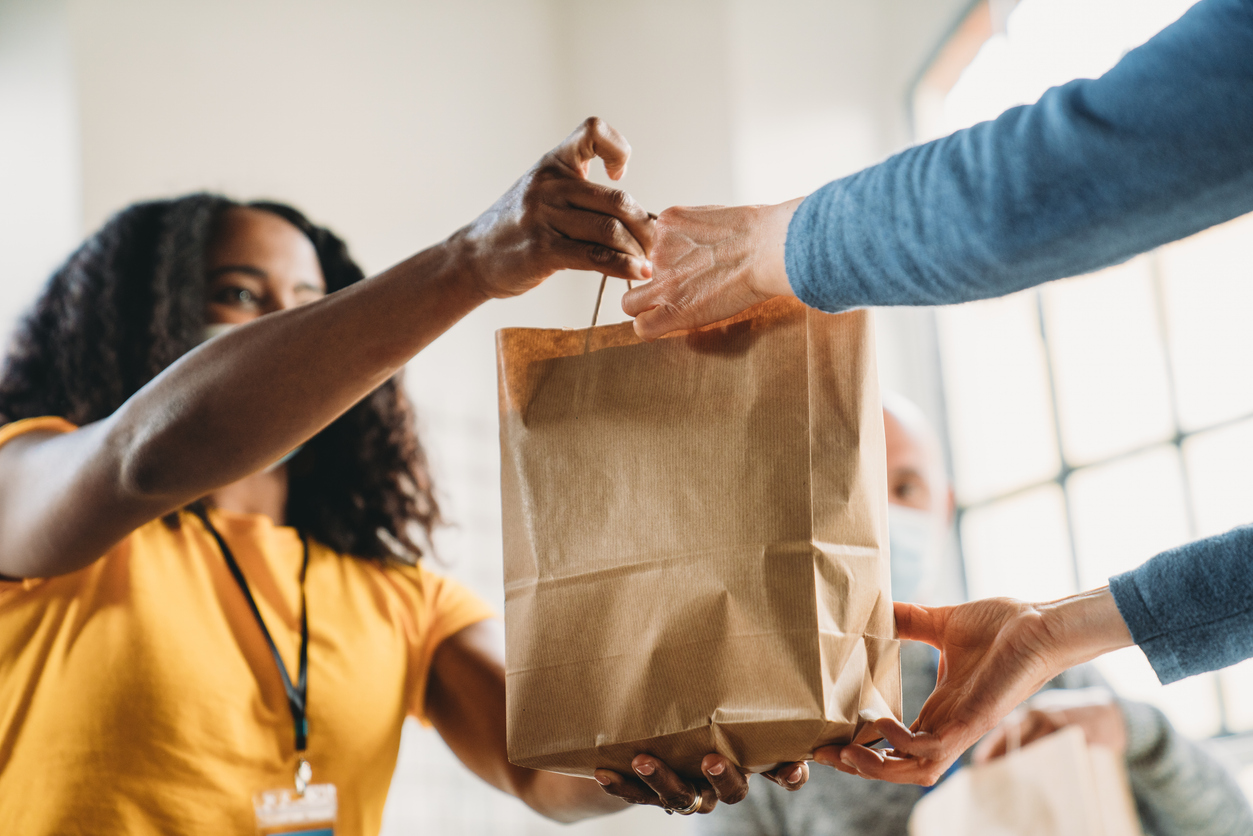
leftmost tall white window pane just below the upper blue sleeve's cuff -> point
(1001, 418)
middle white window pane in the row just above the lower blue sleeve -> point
(1126, 512)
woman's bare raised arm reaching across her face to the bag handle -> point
(241, 402)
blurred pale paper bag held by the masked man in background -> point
(1057, 786)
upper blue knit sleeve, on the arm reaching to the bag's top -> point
(1096, 172)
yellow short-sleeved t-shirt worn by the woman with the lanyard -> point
(138, 696)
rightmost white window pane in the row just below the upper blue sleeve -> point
(1209, 284)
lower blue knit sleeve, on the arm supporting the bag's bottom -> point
(1191, 610)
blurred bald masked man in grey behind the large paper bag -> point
(1180, 789)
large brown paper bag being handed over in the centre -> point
(696, 542)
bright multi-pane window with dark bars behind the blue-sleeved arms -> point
(1098, 421)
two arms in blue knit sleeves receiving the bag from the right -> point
(1096, 172)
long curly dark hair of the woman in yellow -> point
(131, 301)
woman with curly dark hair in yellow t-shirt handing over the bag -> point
(212, 504)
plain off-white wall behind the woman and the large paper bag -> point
(397, 122)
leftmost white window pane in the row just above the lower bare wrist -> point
(1019, 548)
